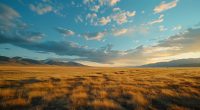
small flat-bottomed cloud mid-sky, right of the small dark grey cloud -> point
(94, 36)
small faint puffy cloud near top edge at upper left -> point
(41, 8)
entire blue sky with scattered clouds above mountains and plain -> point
(109, 33)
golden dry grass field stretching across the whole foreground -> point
(87, 88)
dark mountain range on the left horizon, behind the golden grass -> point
(25, 61)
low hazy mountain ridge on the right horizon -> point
(191, 62)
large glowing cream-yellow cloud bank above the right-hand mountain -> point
(183, 43)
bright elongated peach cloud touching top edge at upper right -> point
(165, 6)
